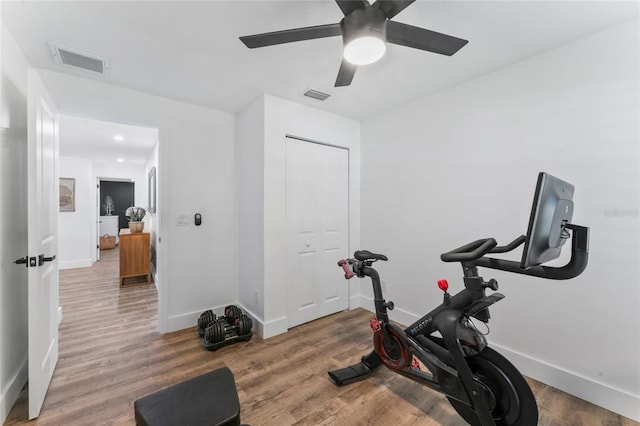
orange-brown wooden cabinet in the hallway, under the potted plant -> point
(135, 257)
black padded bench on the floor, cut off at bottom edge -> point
(210, 399)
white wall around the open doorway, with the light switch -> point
(196, 173)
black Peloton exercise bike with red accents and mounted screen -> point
(482, 385)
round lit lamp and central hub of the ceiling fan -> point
(364, 36)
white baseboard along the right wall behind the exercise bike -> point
(573, 383)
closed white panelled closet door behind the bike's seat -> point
(317, 198)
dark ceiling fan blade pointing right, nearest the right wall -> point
(420, 38)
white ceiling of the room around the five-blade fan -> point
(190, 50)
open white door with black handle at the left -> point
(43, 242)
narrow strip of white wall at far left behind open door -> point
(13, 221)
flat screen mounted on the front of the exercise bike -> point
(552, 210)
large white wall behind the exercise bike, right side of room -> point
(462, 165)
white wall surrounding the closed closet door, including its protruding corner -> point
(261, 131)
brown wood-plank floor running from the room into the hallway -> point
(111, 355)
